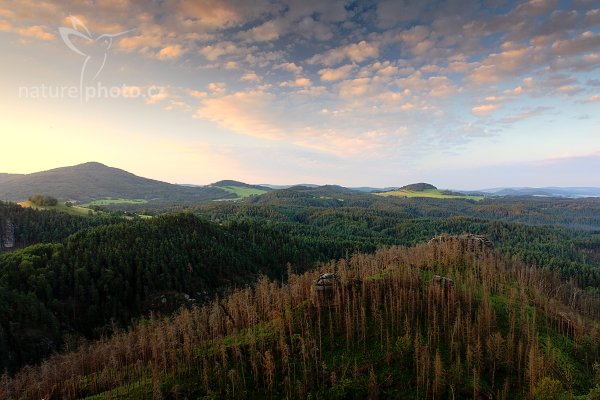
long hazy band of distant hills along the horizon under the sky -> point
(94, 181)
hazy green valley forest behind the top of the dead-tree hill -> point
(561, 234)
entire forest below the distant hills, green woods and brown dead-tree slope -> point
(116, 278)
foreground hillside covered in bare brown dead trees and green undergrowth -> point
(429, 322)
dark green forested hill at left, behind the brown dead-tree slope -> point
(119, 272)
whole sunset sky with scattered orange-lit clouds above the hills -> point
(461, 94)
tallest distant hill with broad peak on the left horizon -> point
(94, 181)
